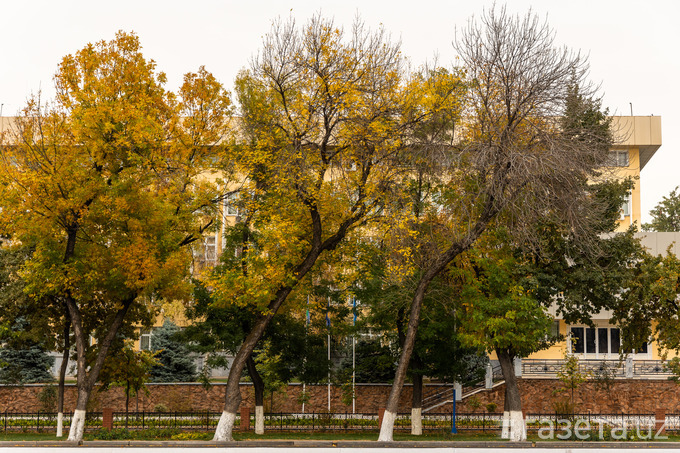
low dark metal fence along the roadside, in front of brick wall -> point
(325, 422)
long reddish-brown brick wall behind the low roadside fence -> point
(538, 396)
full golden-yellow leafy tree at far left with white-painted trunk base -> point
(103, 183)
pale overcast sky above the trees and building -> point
(633, 46)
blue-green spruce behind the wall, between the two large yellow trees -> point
(175, 360)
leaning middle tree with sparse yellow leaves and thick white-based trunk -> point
(324, 117)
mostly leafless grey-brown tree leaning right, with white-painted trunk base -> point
(512, 156)
